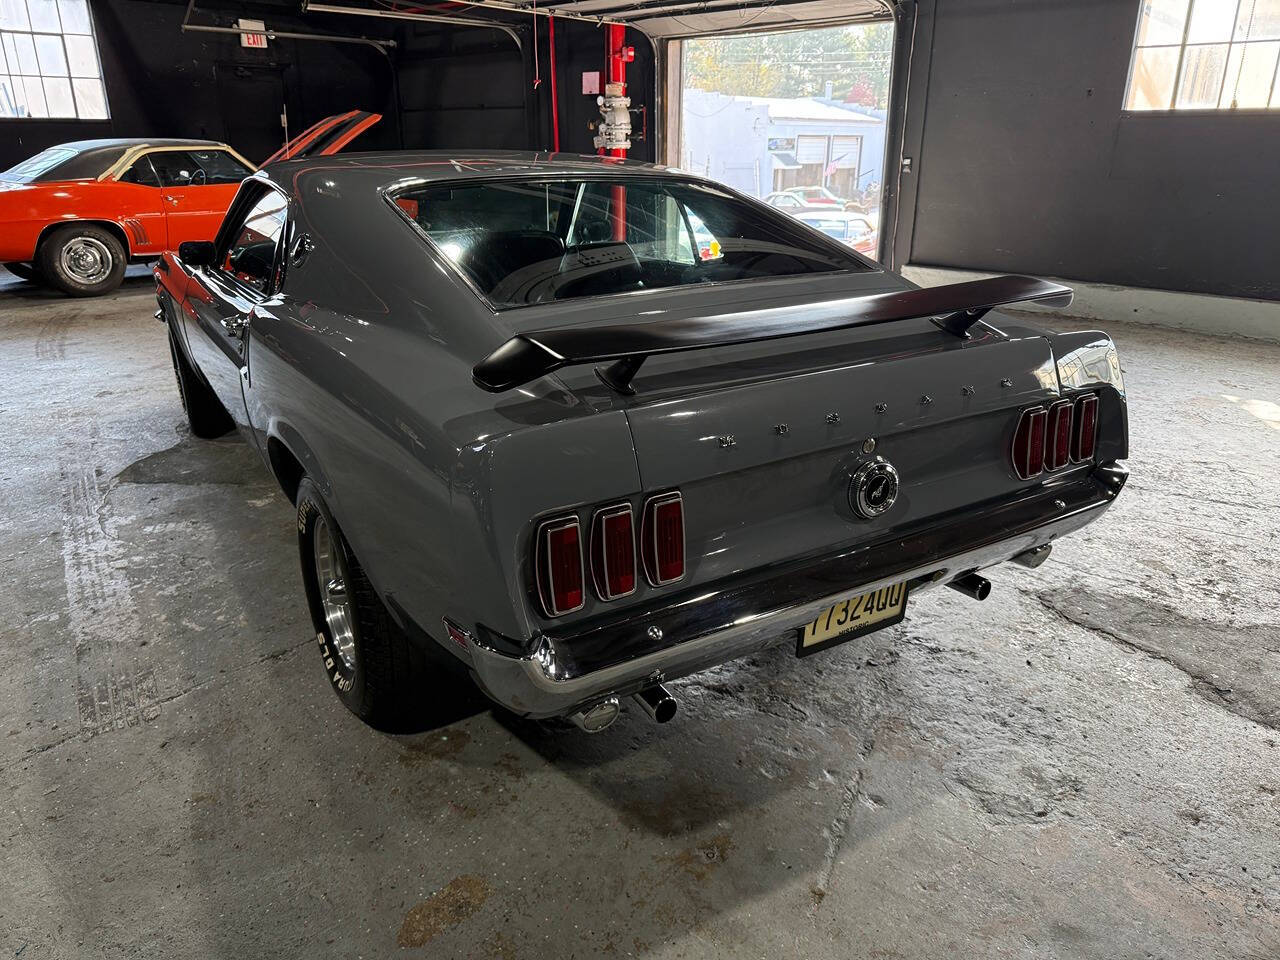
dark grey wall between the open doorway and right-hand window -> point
(1025, 163)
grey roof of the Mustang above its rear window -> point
(446, 166)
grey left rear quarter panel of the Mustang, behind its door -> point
(363, 372)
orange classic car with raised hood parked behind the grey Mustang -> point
(75, 216)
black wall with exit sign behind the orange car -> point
(162, 83)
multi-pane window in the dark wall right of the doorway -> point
(1206, 56)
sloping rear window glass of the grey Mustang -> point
(525, 243)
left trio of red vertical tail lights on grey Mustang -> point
(610, 559)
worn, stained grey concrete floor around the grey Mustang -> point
(1085, 766)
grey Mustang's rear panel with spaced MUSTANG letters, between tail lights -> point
(765, 468)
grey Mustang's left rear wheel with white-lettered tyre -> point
(378, 673)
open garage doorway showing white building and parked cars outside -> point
(797, 118)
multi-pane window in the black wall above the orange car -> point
(49, 65)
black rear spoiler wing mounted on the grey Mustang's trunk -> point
(956, 308)
